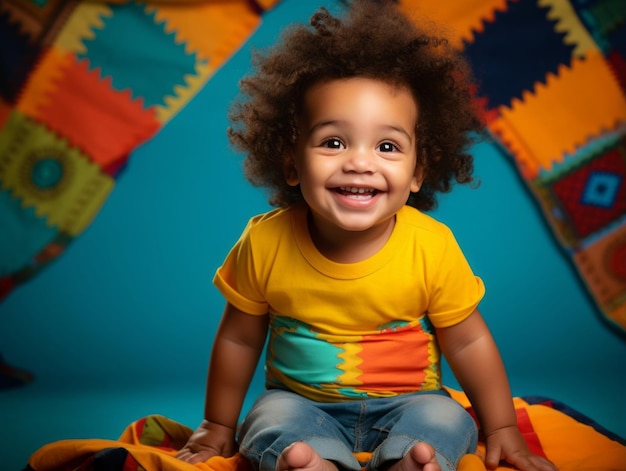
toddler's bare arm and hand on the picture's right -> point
(477, 365)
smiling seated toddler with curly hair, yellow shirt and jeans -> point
(354, 124)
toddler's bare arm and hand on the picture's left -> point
(236, 350)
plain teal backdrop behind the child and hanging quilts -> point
(121, 325)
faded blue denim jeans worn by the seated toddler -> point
(388, 427)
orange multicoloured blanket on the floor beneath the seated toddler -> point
(571, 441)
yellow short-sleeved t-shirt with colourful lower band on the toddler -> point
(347, 331)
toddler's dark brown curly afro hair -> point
(374, 40)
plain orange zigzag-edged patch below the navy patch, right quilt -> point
(543, 127)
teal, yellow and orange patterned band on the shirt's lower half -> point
(399, 357)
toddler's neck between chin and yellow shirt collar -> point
(343, 246)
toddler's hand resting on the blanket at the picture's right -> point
(508, 444)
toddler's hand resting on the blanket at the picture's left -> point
(208, 440)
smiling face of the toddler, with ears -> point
(355, 159)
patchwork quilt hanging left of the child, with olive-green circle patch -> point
(82, 84)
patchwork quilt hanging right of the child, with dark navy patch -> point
(552, 83)
